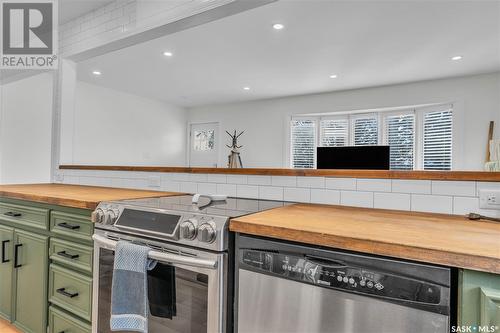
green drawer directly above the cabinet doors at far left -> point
(24, 215)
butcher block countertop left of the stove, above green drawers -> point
(77, 196)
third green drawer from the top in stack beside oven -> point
(71, 291)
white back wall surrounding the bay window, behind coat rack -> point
(476, 98)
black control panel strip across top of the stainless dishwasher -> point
(340, 275)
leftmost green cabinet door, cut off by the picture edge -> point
(7, 257)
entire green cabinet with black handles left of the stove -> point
(34, 237)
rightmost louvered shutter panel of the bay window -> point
(437, 140)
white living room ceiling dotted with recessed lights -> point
(366, 43)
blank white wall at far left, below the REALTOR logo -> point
(25, 130)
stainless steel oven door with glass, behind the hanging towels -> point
(199, 286)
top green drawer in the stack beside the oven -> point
(71, 225)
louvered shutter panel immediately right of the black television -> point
(400, 136)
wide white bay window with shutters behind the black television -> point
(419, 138)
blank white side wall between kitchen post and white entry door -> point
(117, 128)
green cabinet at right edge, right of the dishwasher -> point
(479, 299)
